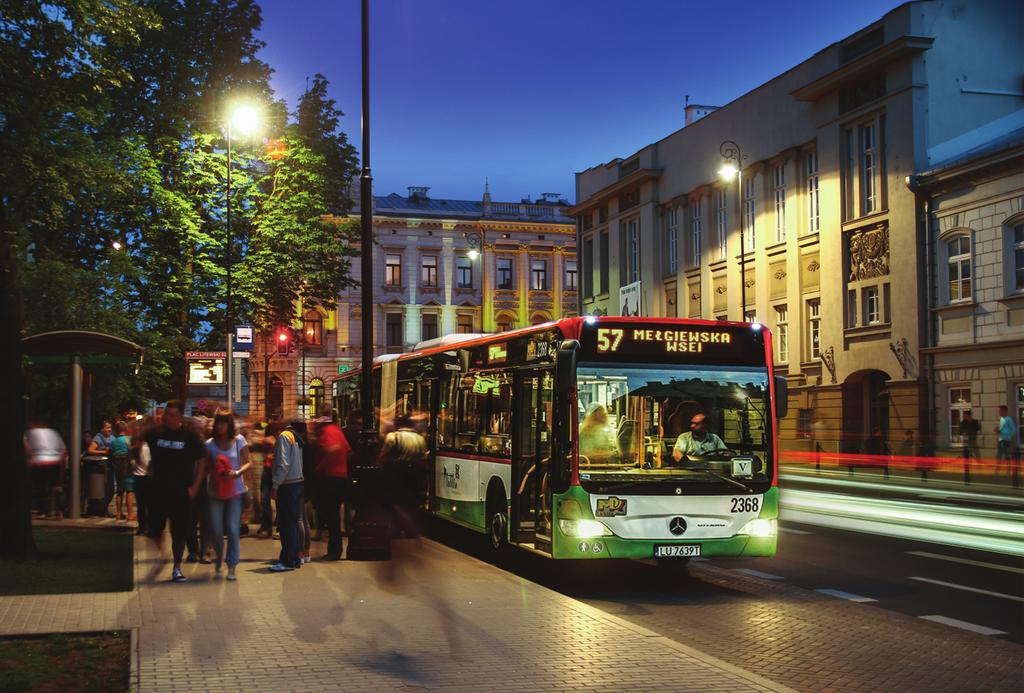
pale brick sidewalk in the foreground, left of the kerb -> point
(432, 620)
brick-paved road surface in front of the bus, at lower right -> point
(816, 643)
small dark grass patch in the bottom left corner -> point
(62, 663)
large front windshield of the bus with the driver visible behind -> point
(702, 425)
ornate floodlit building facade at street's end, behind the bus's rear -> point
(441, 268)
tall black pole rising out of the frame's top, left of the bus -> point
(367, 242)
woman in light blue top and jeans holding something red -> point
(229, 455)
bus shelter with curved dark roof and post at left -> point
(80, 350)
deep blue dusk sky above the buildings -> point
(527, 93)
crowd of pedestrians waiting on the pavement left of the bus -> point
(205, 480)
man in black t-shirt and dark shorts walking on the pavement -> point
(177, 469)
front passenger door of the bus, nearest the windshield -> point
(531, 457)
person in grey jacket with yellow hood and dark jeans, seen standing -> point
(288, 490)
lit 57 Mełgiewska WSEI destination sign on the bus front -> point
(707, 344)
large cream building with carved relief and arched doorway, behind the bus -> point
(835, 263)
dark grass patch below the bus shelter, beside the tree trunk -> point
(72, 561)
